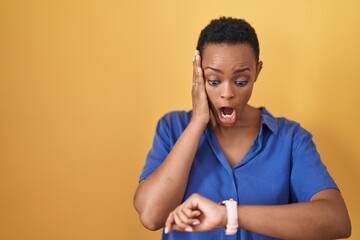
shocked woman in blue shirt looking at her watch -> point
(226, 149)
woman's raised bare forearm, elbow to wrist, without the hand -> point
(164, 189)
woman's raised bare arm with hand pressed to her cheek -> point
(157, 195)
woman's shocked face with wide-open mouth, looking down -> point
(230, 72)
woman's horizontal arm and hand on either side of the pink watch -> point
(324, 217)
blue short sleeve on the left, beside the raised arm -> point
(159, 150)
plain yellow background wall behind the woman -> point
(83, 83)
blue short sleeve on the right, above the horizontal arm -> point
(308, 174)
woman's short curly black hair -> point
(230, 31)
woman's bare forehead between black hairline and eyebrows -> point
(228, 55)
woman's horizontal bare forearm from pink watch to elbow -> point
(317, 219)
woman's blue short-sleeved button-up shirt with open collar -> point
(282, 167)
